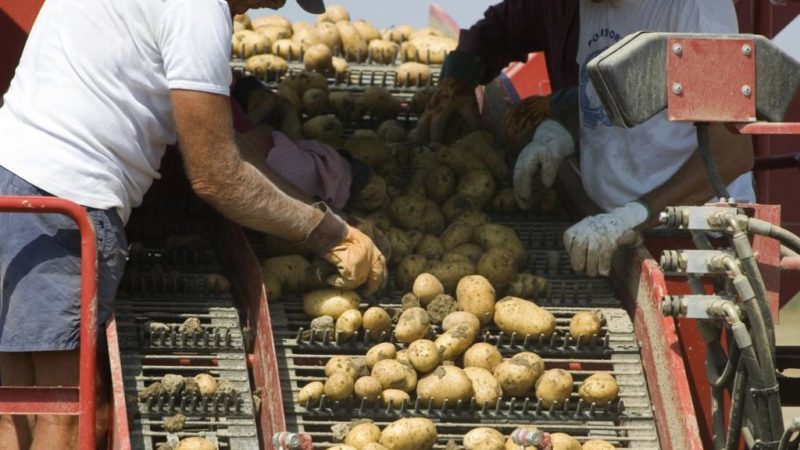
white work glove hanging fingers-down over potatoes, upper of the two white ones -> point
(550, 145)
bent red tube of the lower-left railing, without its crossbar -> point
(88, 339)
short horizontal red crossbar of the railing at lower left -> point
(39, 400)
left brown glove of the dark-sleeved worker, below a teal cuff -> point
(451, 98)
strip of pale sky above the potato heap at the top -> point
(384, 13)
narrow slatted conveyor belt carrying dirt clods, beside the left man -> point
(167, 281)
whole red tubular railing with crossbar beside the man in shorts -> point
(38, 400)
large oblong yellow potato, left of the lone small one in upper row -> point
(515, 315)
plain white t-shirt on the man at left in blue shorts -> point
(88, 114)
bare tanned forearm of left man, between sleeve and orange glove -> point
(223, 179)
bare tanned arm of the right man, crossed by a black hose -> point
(690, 186)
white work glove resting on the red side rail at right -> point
(592, 241)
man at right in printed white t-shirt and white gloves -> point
(632, 173)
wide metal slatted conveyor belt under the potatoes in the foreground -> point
(627, 423)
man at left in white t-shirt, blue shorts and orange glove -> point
(101, 89)
